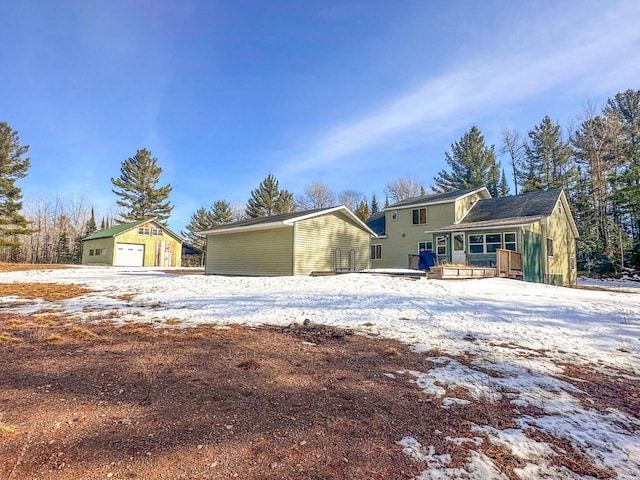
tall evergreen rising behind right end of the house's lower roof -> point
(547, 158)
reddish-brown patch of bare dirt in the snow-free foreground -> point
(137, 402)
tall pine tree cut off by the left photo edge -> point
(12, 167)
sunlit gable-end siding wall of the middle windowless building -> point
(317, 238)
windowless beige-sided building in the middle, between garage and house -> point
(298, 243)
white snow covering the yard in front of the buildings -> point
(525, 332)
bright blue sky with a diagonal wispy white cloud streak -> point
(349, 93)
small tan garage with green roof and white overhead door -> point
(145, 243)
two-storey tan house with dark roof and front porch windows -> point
(469, 227)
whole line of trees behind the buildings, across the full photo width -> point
(597, 163)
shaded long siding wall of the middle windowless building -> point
(257, 252)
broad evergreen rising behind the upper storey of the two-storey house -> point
(472, 165)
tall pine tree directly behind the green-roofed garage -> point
(140, 197)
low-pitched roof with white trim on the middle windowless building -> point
(282, 220)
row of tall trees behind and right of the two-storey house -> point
(597, 164)
